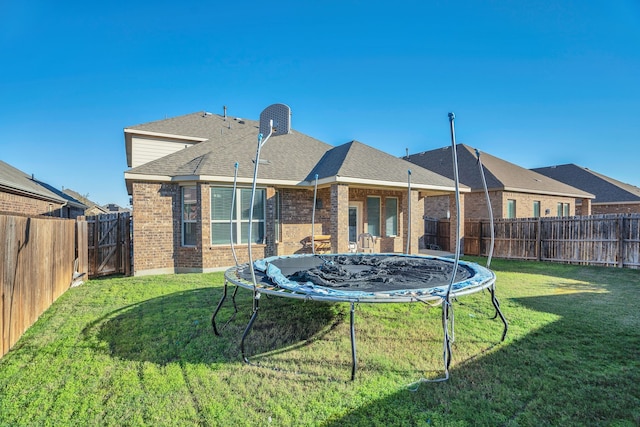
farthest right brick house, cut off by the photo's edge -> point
(612, 196)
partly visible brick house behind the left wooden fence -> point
(22, 194)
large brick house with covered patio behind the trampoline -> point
(181, 185)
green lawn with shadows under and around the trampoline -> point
(140, 351)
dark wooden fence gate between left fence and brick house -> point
(109, 238)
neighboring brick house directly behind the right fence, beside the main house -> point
(515, 192)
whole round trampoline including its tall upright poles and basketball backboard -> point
(360, 278)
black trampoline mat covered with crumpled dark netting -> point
(361, 273)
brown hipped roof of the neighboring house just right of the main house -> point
(499, 174)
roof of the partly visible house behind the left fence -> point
(16, 181)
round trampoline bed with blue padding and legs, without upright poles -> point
(362, 278)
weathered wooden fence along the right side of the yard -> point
(607, 240)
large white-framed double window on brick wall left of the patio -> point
(226, 226)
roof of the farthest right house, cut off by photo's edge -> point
(607, 190)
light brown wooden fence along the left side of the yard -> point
(38, 259)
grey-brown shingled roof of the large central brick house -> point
(290, 159)
